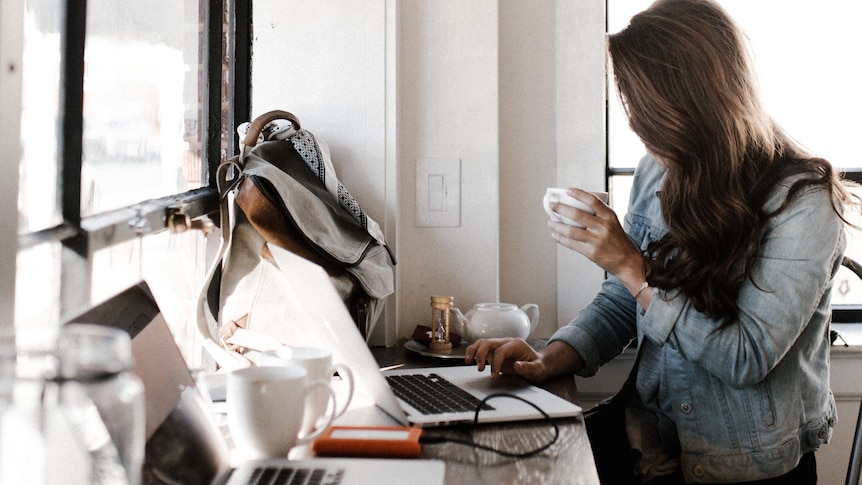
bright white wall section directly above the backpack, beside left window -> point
(324, 62)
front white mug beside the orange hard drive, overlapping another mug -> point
(265, 409)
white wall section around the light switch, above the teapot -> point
(448, 108)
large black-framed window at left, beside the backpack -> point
(124, 105)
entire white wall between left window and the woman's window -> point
(514, 90)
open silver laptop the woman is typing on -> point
(319, 318)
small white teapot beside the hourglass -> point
(491, 320)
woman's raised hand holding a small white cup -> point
(602, 239)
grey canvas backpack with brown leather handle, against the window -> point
(282, 189)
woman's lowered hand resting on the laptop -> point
(507, 355)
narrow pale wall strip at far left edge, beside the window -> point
(11, 22)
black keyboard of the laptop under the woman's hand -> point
(432, 394)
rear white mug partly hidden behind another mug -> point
(317, 361)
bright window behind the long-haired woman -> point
(806, 55)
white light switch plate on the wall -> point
(438, 192)
